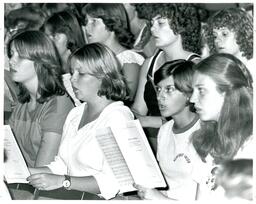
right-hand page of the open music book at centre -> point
(138, 155)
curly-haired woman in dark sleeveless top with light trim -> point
(175, 40)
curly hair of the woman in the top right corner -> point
(238, 21)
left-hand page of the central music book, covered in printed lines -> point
(115, 159)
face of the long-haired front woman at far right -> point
(207, 99)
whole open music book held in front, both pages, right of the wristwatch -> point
(130, 157)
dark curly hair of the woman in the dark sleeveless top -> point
(183, 18)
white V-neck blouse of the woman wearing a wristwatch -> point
(79, 153)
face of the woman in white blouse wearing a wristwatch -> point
(84, 84)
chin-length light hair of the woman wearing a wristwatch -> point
(102, 63)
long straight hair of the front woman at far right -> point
(224, 138)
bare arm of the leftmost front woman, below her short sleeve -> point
(48, 148)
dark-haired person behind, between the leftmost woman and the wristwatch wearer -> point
(66, 33)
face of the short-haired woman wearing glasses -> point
(171, 102)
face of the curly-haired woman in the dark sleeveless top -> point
(161, 32)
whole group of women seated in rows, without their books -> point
(71, 70)
